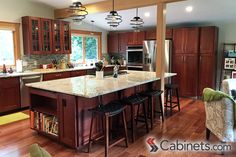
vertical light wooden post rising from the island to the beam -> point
(160, 51)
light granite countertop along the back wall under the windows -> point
(46, 71)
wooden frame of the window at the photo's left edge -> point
(15, 28)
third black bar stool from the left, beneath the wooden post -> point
(152, 109)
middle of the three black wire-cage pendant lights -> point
(113, 18)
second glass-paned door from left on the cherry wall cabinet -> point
(46, 31)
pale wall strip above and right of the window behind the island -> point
(88, 27)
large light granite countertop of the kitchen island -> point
(88, 86)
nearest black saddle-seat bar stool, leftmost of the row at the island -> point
(111, 109)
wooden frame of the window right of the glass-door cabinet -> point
(88, 33)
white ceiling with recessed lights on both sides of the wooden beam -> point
(204, 11)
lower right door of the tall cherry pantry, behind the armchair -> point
(207, 68)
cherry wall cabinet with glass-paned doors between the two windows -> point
(45, 36)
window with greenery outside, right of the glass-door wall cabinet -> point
(85, 46)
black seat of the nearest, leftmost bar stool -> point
(111, 108)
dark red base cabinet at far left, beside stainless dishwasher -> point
(9, 94)
